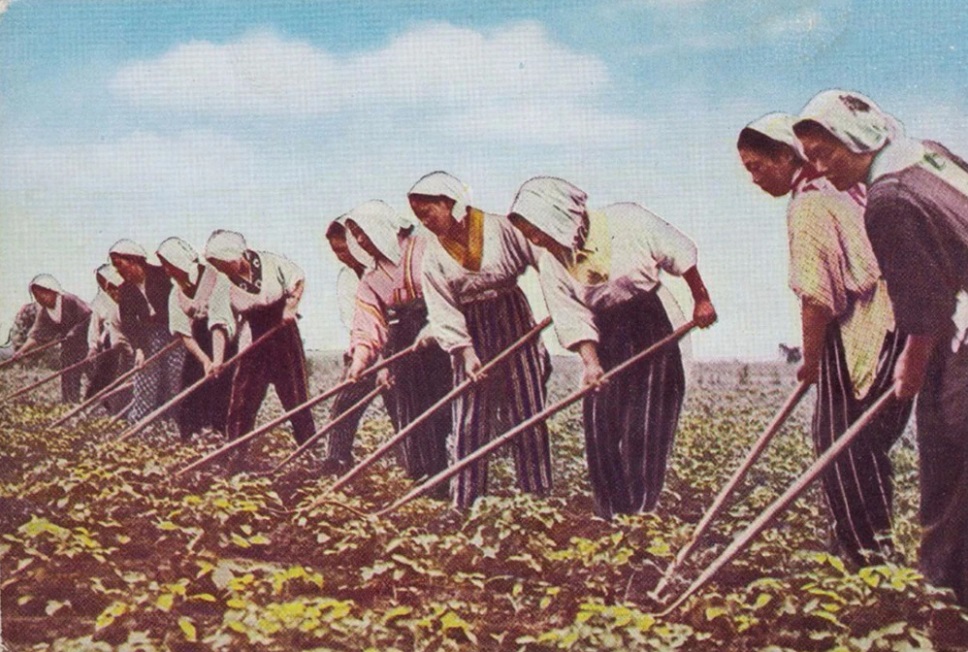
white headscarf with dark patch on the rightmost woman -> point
(853, 119)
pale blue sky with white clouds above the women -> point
(147, 119)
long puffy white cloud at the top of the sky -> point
(263, 73)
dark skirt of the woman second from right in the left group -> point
(208, 405)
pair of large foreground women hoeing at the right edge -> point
(878, 233)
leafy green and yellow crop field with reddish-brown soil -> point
(102, 549)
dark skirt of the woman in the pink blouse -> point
(420, 380)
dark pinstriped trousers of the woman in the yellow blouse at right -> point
(859, 486)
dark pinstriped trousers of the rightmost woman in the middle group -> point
(630, 423)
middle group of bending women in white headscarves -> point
(456, 292)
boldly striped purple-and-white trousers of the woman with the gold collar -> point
(511, 393)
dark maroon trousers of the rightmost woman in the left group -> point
(279, 361)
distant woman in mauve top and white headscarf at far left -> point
(60, 315)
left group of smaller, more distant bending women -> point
(214, 305)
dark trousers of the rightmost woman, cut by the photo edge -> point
(942, 418)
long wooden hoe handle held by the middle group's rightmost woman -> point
(494, 444)
